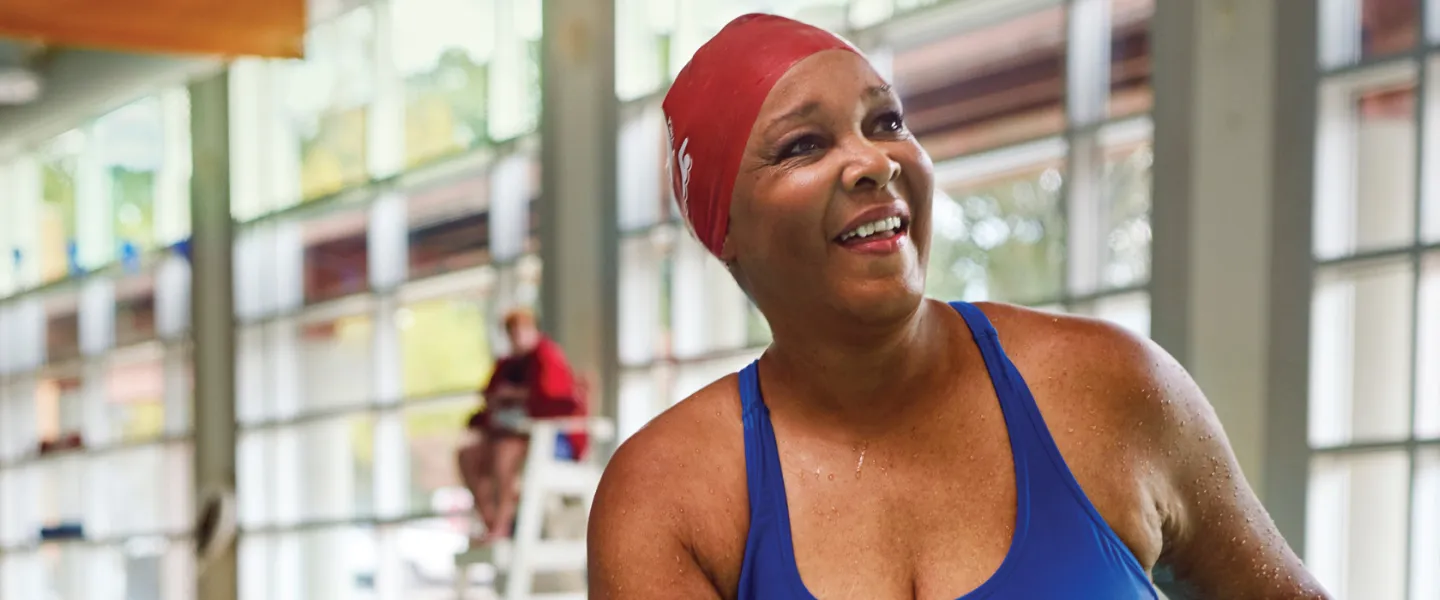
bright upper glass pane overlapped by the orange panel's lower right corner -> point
(326, 103)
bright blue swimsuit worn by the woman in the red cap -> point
(1062, 549)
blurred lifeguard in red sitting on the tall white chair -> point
(535, 382)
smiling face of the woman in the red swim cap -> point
(833, 198)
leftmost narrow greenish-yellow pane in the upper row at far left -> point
(60, 245)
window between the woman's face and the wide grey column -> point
(1043, 155)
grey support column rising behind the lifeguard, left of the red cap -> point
(578, 204)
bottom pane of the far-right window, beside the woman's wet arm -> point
(1356, 527)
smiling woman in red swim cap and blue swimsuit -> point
(886, 445)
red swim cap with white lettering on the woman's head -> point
(712, 109)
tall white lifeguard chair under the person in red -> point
(545, 484)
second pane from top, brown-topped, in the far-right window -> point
(1366, 173)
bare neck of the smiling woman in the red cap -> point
(840, 373)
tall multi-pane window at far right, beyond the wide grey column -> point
(1373, 320)
